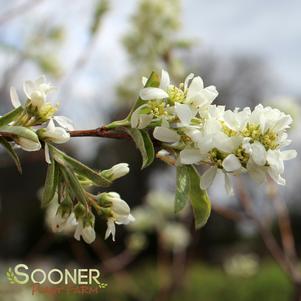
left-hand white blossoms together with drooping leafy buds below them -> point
(32, 126)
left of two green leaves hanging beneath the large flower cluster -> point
(182, 188)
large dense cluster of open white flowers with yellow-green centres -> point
(197, 132)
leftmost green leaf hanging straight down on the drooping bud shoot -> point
(51, 183)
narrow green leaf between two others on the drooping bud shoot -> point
(73, 184)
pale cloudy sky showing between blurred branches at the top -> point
(269, 29)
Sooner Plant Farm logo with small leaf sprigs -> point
(56, 281)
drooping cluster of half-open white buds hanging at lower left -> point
(67, 215)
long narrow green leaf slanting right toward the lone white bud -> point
(79, 167)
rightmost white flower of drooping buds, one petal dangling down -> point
(120, 211)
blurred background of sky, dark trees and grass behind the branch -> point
(95, 52)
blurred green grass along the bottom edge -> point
(202, 282)
